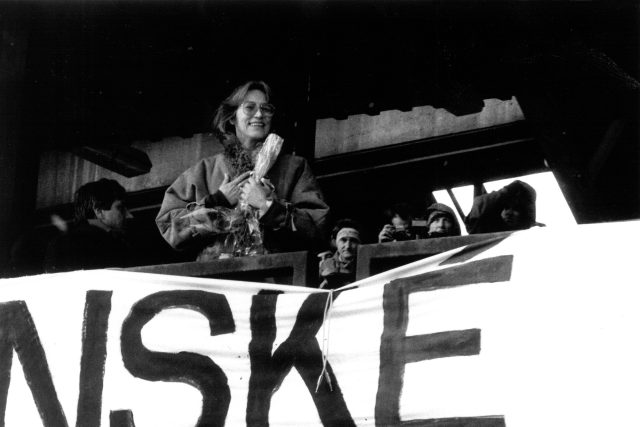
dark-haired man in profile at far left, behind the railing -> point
(97, 237)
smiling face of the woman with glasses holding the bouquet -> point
(251, 122)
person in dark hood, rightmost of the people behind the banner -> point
(513, 207)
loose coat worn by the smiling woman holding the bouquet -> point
(295, 221)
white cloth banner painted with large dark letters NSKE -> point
(536, 329)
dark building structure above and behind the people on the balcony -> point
(377, 95)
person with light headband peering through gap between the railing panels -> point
(339, 268)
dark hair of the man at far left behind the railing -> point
(96, 195)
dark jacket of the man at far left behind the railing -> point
(87, 247)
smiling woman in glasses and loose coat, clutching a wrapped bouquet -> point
(292, 210)
